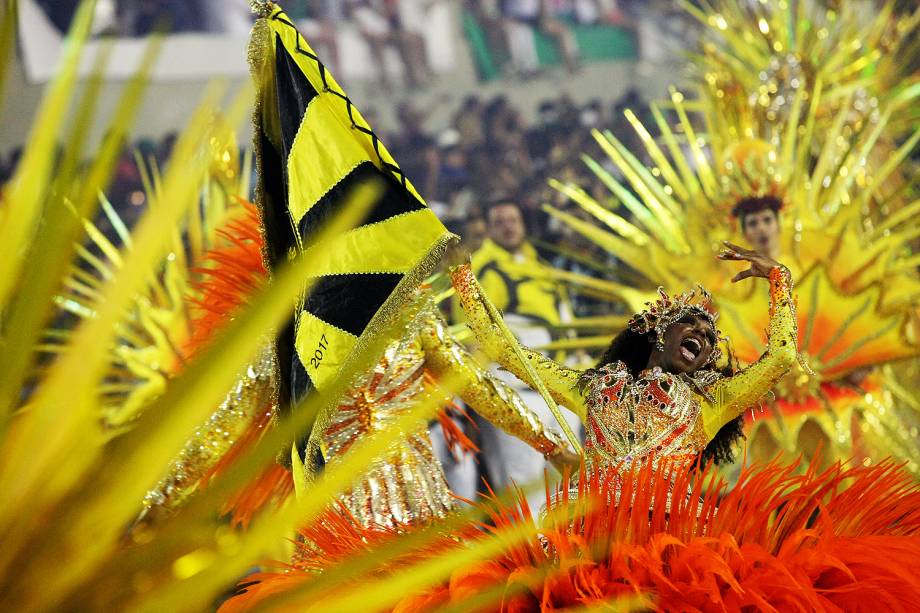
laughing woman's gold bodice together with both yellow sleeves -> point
(658, 415)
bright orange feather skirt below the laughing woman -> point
(845, 539)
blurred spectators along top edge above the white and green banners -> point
(508, 26)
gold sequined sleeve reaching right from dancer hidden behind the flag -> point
(485, 393)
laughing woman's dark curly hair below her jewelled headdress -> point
(634, 350)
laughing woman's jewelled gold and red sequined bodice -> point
(631, 419)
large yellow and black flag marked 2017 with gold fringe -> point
(313, 147)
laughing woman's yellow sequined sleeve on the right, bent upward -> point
(732, 395)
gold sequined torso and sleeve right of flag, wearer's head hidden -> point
(408, 485)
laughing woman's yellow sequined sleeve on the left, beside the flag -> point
(560, 380)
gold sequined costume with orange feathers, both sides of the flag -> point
(408, 485)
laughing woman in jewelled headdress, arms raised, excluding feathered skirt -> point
(664, 397)
